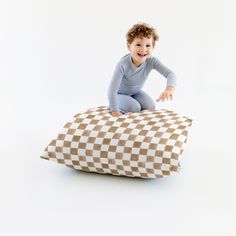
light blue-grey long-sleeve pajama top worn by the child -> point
(128, 79)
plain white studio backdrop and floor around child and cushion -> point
(57, 58)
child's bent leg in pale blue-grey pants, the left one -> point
(128, 104)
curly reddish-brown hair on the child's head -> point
(142, 30)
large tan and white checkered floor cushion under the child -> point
(146, 144)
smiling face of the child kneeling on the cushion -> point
(140, 49)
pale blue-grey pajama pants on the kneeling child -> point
(135, 103)
